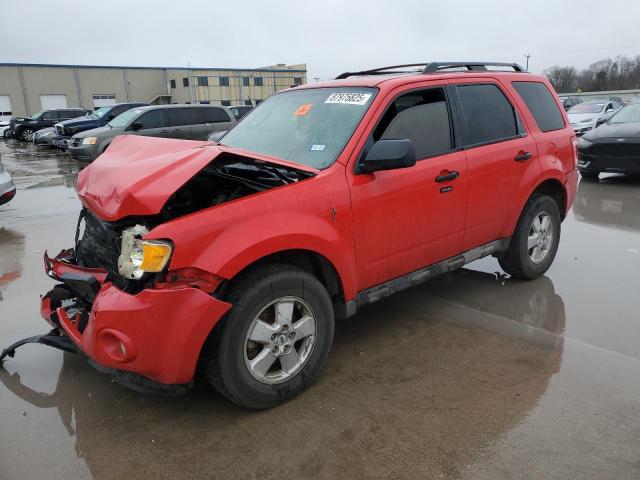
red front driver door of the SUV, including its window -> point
(409, 218)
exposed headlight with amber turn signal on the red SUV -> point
(139, 256)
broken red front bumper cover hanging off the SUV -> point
(157, 333)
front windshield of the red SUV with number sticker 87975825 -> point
(309, 126)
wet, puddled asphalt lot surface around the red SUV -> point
(472, 375)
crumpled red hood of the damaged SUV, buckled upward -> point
(137, 175)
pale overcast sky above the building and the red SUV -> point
(331, 36)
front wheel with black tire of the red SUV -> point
(229, 353)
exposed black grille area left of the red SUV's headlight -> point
(98, 246)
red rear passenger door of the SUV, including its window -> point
(500, 154)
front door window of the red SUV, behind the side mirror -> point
(420, 116)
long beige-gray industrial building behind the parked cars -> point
(28, 88)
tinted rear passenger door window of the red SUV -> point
(488, 114)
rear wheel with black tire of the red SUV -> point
(526, 263)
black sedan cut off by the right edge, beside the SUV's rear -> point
(612, 147)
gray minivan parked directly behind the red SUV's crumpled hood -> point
(194, 122)
